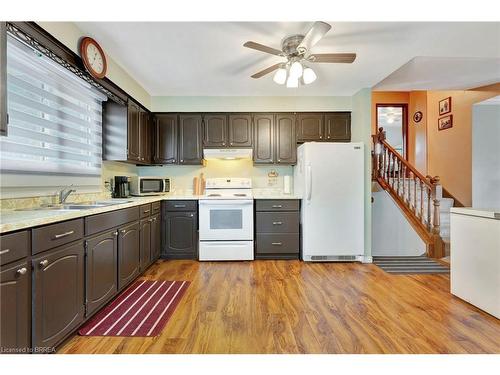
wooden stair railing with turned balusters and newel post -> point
(417, 196)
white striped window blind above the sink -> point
(55, 118)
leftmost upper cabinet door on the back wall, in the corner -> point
(165, 150)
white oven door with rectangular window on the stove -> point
(226, 220)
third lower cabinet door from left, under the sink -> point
(101, 270)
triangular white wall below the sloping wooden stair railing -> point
(391, 232)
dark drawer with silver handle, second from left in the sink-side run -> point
(54, 235)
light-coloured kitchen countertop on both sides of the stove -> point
(11, 220)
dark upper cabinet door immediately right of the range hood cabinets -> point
(263, 150)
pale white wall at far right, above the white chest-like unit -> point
(486, 154)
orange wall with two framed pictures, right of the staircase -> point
(450, 151)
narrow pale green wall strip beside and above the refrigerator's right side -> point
(361, 132)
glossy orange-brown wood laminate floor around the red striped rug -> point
(296, 307)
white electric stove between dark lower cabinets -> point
(226, 220)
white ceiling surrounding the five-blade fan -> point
(208, 59)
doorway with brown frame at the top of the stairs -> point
(394, 119)
